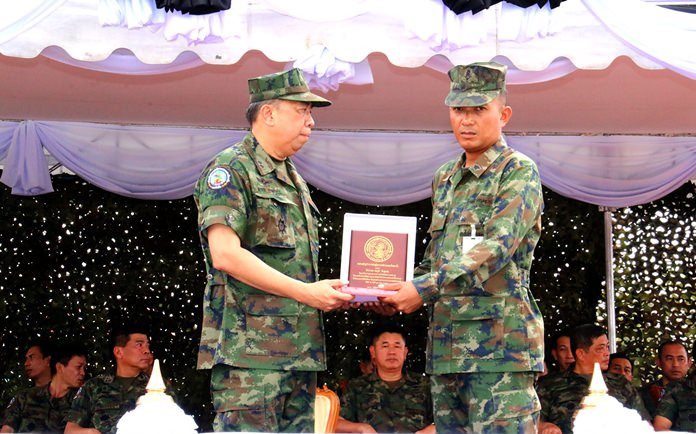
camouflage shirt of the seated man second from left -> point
(34, 410)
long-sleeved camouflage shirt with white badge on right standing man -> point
(483, 316)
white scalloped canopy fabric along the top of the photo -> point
(531, 38)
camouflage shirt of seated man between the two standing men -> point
(404, 406)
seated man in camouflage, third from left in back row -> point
(104, 399)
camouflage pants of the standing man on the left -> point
(263, 400)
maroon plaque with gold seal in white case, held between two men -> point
(377, 250)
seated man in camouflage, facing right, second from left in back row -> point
(43, 408)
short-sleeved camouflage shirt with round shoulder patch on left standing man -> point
(267, 204)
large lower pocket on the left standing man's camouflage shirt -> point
(271, 325)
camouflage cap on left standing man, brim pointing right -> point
(289, 85)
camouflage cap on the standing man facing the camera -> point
(475, 84)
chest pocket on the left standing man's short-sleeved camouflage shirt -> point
(273, 226)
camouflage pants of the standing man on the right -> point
(496, 402)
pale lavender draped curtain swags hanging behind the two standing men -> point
(374, 168)
